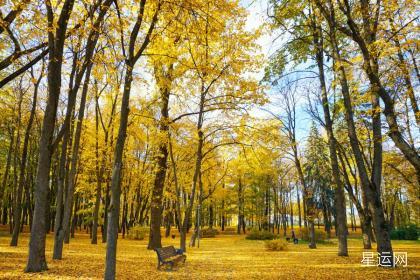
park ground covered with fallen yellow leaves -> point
(222, 257)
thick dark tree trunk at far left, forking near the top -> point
(36, 258)
